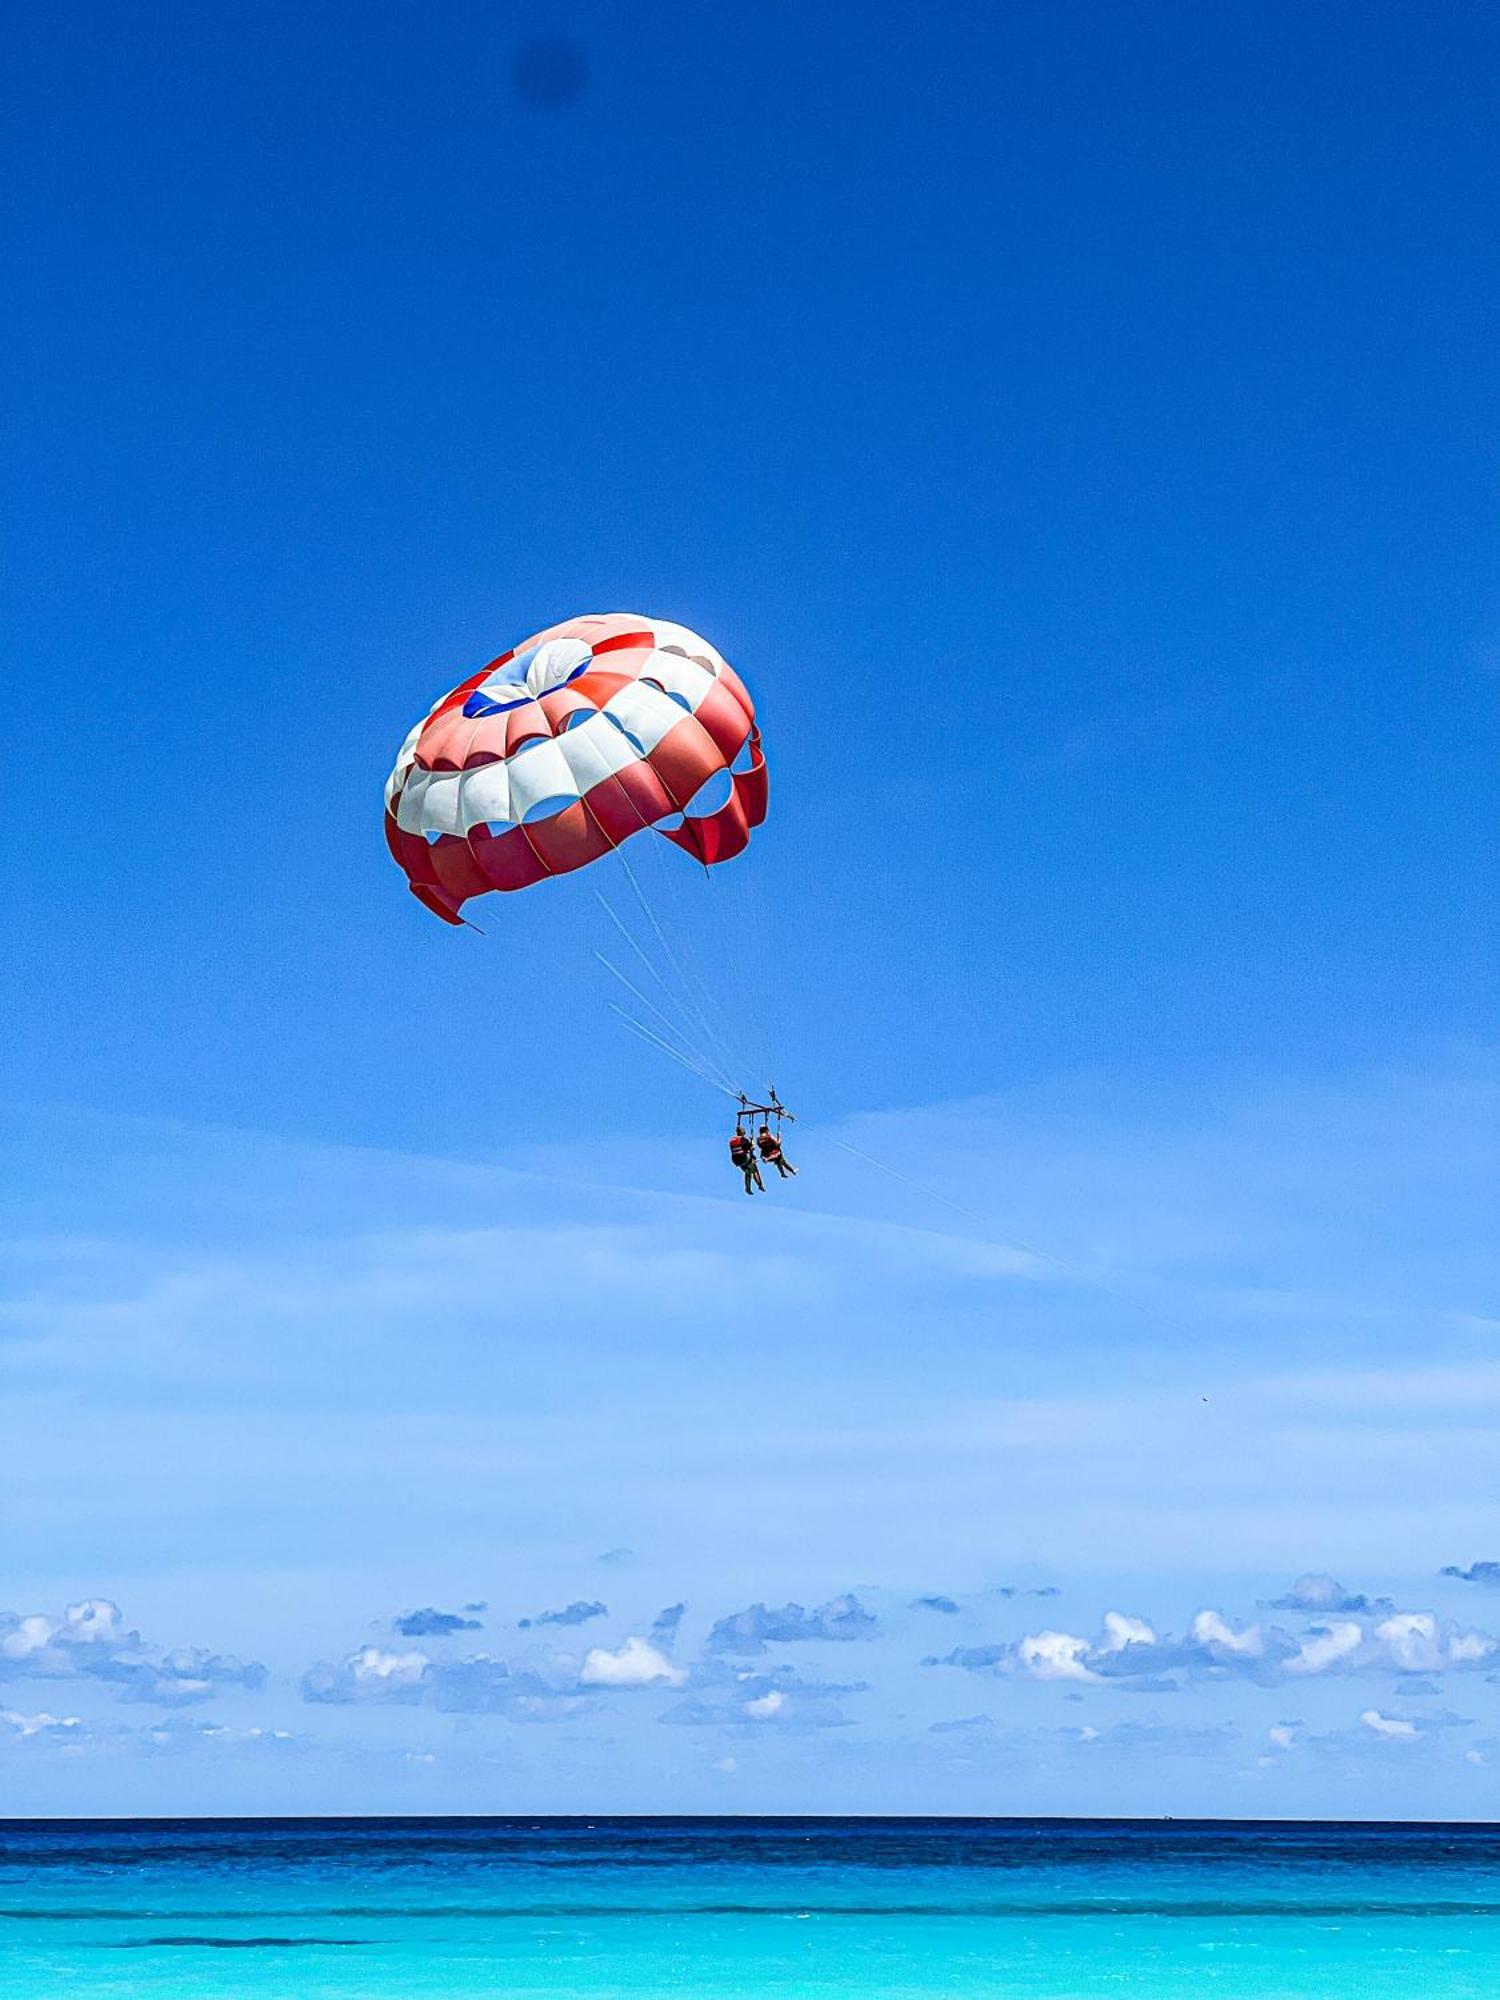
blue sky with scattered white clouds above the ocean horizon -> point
(1079, 429)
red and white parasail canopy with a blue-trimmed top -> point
(567, 747)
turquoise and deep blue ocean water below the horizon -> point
(311, 1909)
